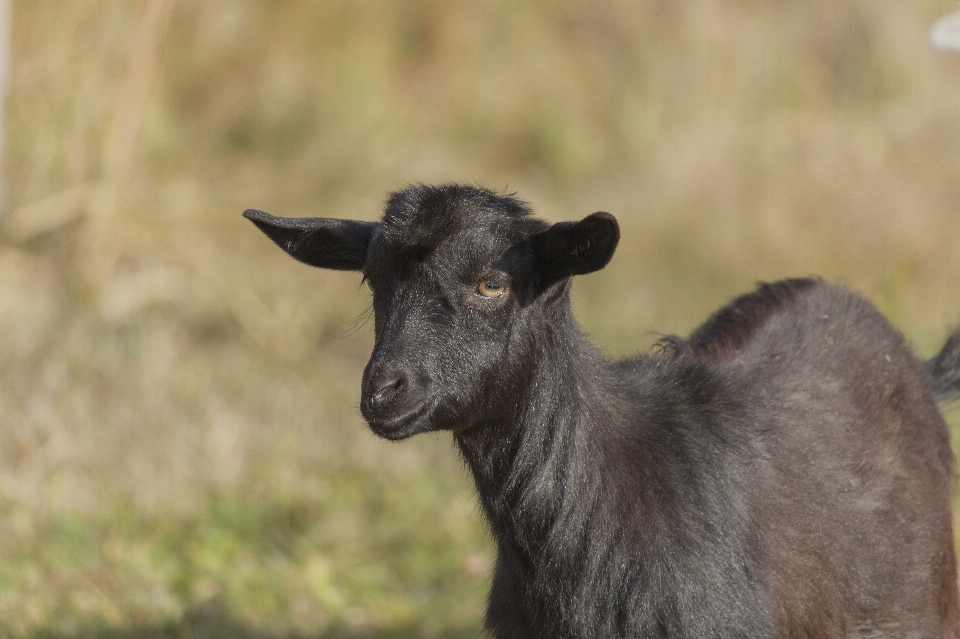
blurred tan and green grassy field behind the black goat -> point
(181, 453)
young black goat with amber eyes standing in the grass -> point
(784, 472)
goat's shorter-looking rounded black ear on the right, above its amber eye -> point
(574, 248)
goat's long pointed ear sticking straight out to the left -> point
(318, 241)
